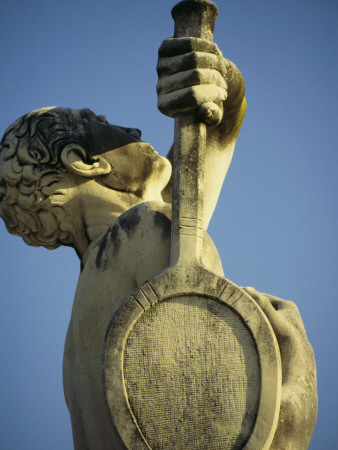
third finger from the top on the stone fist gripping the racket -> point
(189, 78)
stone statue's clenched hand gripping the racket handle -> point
(192, 72)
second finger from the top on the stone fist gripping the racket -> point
(188, 61)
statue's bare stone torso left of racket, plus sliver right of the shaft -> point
(135, 248)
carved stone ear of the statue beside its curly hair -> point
(74, 156)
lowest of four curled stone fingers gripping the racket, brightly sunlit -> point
(188, 99)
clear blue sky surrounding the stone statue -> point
(276, 222)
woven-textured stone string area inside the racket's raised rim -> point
(171, 398)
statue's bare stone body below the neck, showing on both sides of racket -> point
(134, 249)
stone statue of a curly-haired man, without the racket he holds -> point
(68, 177)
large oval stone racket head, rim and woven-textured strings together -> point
(210, 343)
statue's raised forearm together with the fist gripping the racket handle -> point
(192, 72)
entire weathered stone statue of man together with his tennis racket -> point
(162, 351)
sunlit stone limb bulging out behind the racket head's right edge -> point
(298, 409)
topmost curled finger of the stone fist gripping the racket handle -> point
(179, 46)
